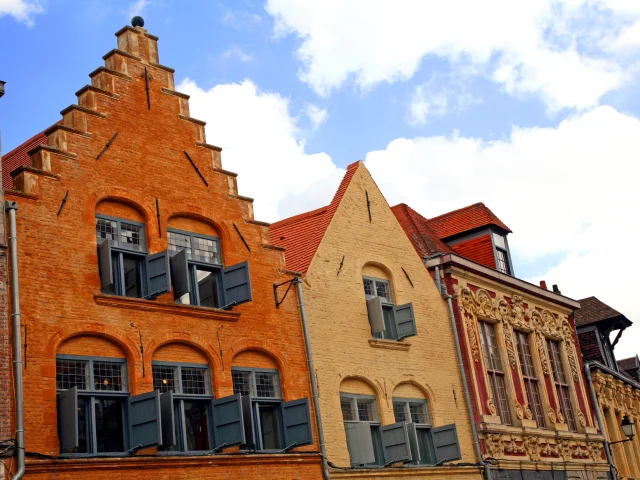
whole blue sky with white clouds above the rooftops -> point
(529, 106)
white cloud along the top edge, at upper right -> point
(550, 48)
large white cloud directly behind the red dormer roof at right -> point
(569, 192)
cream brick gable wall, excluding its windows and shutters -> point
(345, 359)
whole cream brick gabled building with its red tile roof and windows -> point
(352, 245)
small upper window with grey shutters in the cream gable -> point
(388, 321)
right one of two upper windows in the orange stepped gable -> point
(198, 275)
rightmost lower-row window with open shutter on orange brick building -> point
(269, 422)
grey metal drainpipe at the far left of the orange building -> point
(11, 207)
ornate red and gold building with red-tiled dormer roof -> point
(520, 353)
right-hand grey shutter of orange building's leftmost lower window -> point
(145, 426)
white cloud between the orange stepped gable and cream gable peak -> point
(261, 141)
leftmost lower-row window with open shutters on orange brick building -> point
(96, 414)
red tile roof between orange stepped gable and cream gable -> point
(301, 235)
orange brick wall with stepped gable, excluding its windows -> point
(59, 280)
